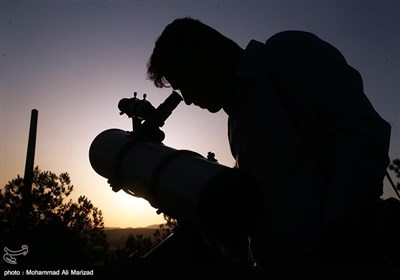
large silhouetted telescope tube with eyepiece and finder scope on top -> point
(220, 201)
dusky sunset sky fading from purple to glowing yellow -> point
(74, 60)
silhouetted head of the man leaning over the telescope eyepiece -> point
(197, 60)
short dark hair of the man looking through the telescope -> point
(185, 40)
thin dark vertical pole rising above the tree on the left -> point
(26, 202)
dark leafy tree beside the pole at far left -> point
(58, 232)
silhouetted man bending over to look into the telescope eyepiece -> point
(299, 122)
